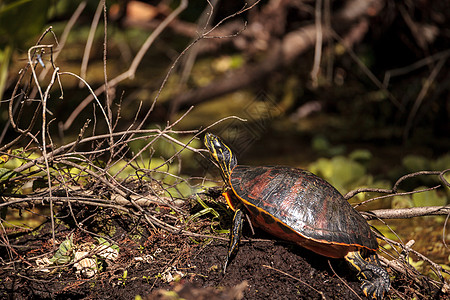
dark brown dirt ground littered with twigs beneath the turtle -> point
(172, 266)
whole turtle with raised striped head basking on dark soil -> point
(297, 206)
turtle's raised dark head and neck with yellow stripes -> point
(221, 154)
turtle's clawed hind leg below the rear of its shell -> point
(375, 279)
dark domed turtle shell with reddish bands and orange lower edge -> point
(298, 206)
